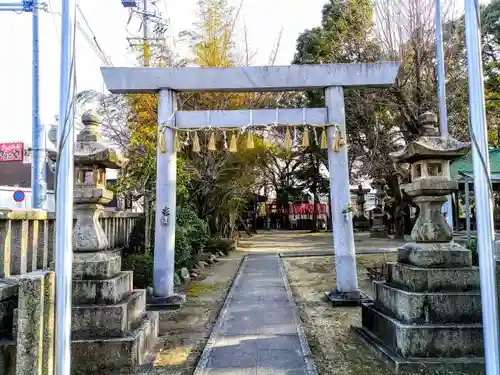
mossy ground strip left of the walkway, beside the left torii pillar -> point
(184, 332)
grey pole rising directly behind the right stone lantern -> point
(443, 116)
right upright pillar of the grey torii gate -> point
(343, 235)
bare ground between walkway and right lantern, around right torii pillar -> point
(335, 347)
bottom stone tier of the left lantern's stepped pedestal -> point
(123, 355)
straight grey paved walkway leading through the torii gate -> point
(258, 331)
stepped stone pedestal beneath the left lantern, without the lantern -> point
(111, 330)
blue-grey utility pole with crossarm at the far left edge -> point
(39, 153)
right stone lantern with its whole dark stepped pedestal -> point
(426, 317)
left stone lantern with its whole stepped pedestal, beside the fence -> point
(111, 331)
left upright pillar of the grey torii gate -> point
(166, 187)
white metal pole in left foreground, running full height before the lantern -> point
(64, 198)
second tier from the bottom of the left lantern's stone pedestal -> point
(108, 320)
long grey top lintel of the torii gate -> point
(249, 79)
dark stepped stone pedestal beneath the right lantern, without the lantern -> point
(427, 315)
